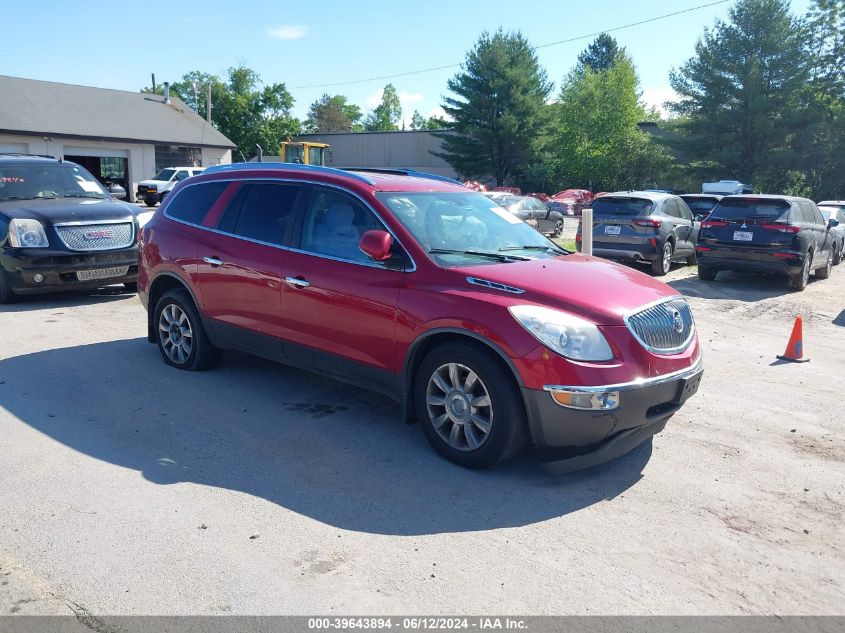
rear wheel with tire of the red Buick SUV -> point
(180, 334)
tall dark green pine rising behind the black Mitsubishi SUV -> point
(741, 92)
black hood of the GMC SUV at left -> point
(60, 210)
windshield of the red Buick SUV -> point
(466, 228)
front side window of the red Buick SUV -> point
(334, 223)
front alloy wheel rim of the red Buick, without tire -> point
(459, 406)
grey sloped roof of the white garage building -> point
(46, 108)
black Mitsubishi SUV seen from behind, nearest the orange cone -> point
(767, 234)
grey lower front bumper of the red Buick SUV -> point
(574, 439)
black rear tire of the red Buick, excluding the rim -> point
(202, 354)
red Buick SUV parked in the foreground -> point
(486, 332)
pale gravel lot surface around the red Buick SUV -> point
(131, 488)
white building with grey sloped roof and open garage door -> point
(119, 136)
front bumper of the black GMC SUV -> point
(59, 269)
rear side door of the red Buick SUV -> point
(240, 264)
